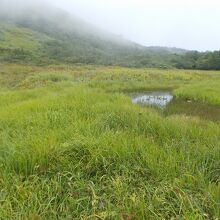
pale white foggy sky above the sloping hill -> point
(185, 24)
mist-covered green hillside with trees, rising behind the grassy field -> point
(46, 35)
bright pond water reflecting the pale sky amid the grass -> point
(158, 98)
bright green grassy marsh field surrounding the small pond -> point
(73, 146)
